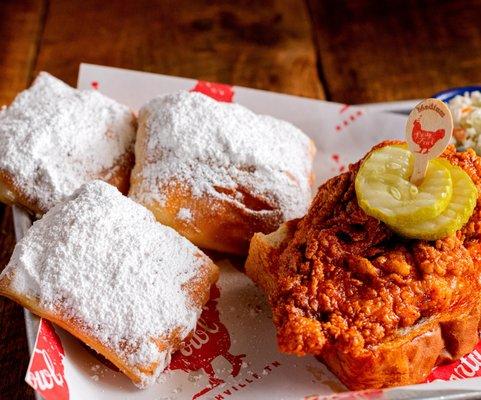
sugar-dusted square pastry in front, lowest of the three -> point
(100, 266)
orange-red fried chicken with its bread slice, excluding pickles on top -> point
(380, 310)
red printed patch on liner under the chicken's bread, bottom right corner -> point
(468, 366)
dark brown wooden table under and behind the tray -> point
(352, 52)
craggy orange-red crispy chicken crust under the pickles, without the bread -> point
(346, 281)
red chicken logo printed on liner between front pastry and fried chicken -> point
(210, 340)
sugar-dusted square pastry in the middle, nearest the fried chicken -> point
(217, 172)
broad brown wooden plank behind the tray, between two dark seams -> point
(266, 45)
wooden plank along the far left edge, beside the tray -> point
(20, 28)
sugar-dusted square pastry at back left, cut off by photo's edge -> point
(54, 138)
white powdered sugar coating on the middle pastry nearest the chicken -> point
(206, 145)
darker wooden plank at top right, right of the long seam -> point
(381, 51)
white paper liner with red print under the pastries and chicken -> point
(342, 135)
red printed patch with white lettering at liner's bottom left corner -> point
(46, 371)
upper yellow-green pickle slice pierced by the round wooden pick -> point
(384, 191)
